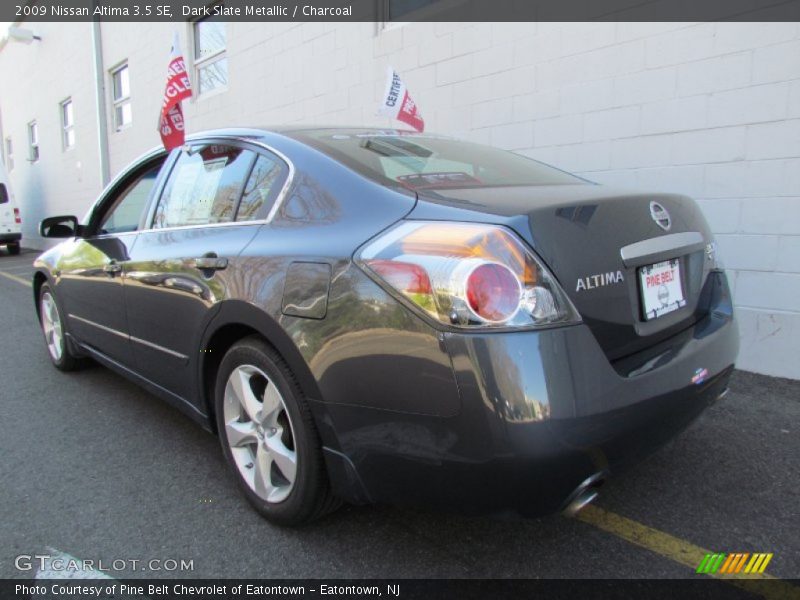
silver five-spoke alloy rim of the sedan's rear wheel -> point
(259, 433)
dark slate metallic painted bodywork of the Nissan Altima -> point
(409, 412)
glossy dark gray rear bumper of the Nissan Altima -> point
(541, 412)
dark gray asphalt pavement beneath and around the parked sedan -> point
(94, 467)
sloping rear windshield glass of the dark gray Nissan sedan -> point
(427, 162)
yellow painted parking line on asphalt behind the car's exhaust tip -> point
(682, 552)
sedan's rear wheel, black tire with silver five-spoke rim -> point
(275, 453)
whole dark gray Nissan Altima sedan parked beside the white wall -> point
(368, 315)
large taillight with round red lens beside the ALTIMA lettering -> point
(467, 275)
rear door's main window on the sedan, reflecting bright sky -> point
(204, 187)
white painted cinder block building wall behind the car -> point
(711, 110)
